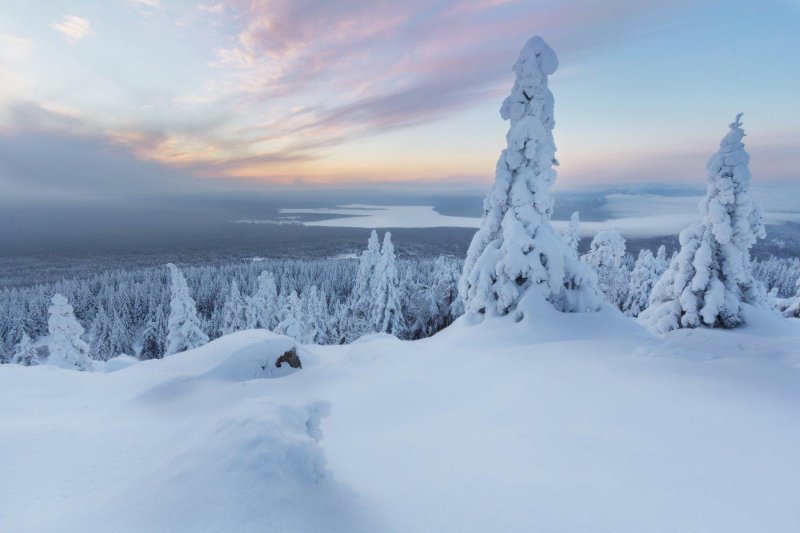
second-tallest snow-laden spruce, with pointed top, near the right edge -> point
(710, 279)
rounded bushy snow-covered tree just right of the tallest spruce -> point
(606, 256)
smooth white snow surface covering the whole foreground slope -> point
(577, 422)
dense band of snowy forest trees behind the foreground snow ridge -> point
(153, 312)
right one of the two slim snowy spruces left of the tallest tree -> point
(387, 314)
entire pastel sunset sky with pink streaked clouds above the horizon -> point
(124, 96)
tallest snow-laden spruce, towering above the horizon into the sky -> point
(516, 254)
